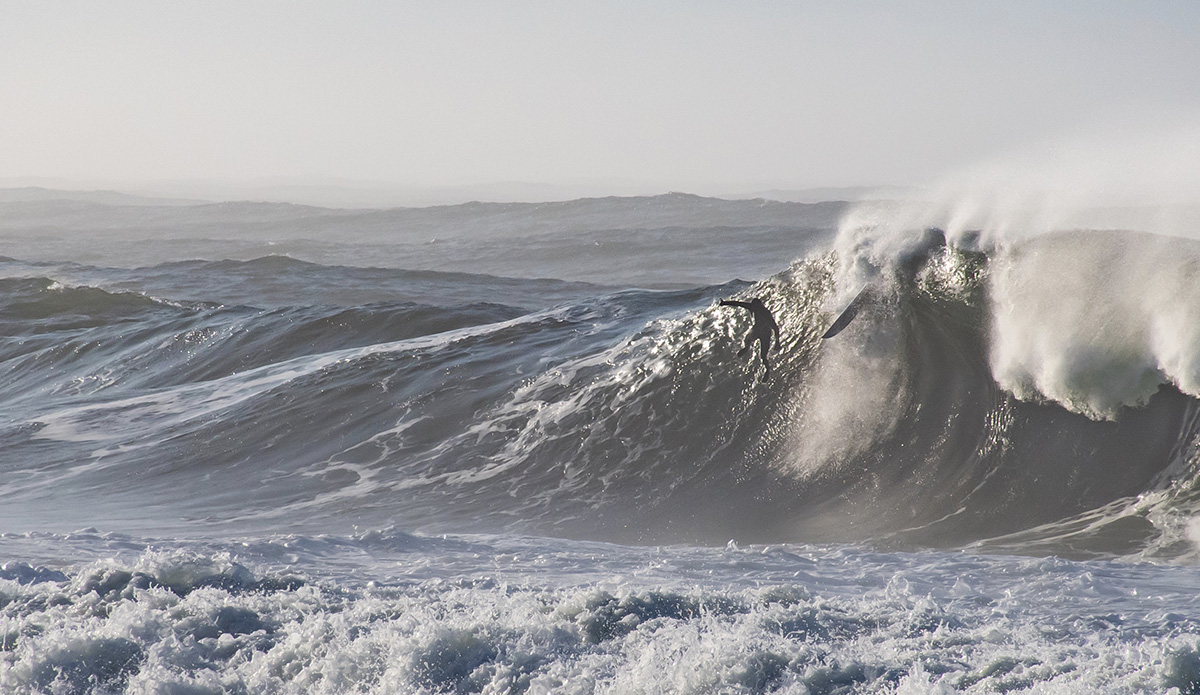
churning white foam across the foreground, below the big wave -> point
(497, 615)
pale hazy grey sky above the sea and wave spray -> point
(676, 95)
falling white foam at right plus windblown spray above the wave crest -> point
(1095, 322)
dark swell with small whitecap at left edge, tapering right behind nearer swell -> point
(82, 339)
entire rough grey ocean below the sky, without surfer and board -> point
(511, 448)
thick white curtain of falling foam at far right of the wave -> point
(1096, 322)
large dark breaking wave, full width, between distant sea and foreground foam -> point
(1039, 398)
